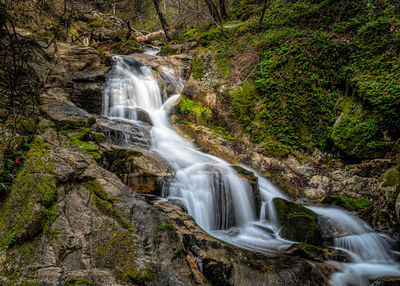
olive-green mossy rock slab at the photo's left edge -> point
(33, 194)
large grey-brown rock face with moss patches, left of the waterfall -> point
(74, 215)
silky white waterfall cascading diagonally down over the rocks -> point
(219, 200)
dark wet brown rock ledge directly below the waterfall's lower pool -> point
(217, 263)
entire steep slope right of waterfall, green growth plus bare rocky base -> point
(315, 85)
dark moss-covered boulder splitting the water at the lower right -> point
(298, 223)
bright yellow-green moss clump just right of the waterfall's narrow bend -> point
(195, 111)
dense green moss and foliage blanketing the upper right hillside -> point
(306, 58)
